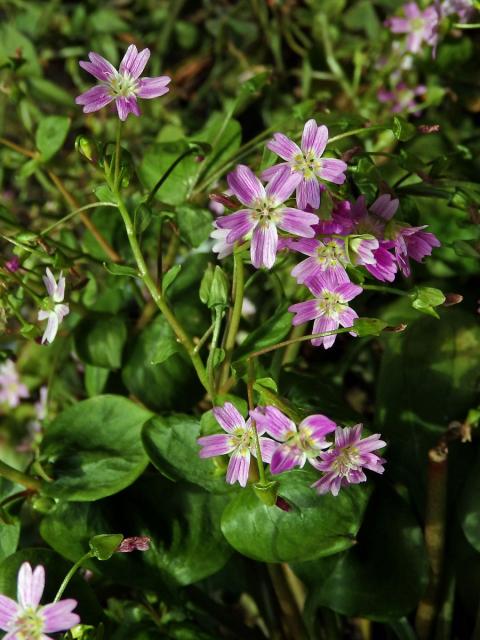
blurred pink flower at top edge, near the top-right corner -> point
(420, 26)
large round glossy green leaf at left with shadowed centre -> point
(93, 449)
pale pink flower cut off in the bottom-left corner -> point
(26, 620)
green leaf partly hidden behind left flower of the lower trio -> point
(171, 445)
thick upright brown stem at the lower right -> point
(434, 537)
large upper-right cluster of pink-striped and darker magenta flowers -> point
(356, 235)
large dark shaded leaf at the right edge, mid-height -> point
(411, 414)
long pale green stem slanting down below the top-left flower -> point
(158, 298)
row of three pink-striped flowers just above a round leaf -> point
(284, 446)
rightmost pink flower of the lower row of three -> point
(343, 464)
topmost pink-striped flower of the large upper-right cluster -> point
(306, 163)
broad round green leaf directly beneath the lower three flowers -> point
(316, 526)
